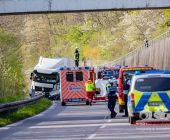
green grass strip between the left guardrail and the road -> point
(25, 112)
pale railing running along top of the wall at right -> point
(153, 41)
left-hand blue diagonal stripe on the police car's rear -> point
(143, 101)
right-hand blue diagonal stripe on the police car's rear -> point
(165, 99)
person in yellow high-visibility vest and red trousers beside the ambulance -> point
(89, 90)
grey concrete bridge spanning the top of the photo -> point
(50, 6)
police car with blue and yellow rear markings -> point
(149, 95)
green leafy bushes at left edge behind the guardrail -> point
(12, 77)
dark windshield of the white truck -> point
(44, 78)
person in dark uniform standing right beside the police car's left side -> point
(126, 87)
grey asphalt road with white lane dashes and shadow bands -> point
(81, 122)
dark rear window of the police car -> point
(152, 84)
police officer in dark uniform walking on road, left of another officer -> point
(111, 94)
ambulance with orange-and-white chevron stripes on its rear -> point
(72, 84)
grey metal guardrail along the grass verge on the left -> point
(14, 106)
